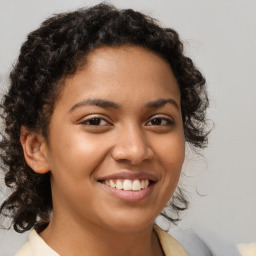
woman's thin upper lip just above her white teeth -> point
(130, 176)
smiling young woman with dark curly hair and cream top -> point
(99, 109)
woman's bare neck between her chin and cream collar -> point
(68, 238)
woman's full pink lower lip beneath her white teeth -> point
(129, 196)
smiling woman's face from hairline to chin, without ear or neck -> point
(116, 140)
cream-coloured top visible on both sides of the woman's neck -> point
(36, 246)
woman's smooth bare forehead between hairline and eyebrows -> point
(119, 72)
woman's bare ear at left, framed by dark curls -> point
(35, 150)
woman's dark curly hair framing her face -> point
(57, 50)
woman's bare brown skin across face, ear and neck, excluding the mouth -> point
(86, 217)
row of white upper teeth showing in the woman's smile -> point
(129, 185)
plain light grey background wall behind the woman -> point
(220, 36)
